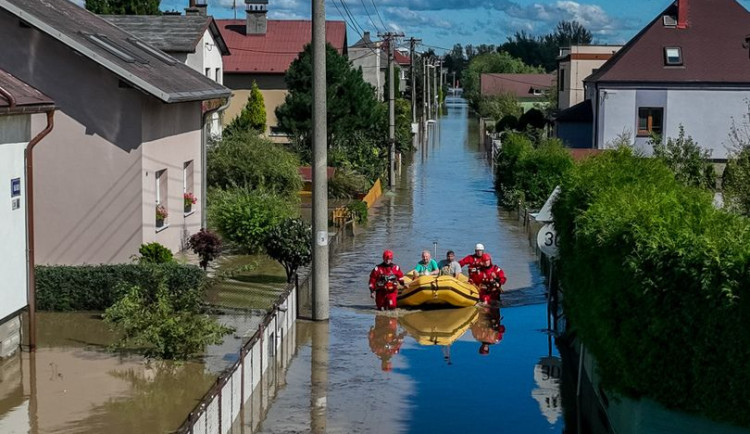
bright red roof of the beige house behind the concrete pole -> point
(273, 52)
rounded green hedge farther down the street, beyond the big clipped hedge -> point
(527, 173)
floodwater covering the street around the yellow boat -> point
(461, 370)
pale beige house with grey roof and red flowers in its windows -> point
(128, 141)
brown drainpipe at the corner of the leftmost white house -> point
(30, 221)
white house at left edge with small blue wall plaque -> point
(18, 103)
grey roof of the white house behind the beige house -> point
(170, 33)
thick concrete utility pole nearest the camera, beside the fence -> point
(320, 308)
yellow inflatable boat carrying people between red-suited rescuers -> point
(438, 290)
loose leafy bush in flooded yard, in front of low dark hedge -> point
(155, 322)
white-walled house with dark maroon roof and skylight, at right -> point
(689, 66)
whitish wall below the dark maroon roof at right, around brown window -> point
(706, 114)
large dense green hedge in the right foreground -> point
(656, 285)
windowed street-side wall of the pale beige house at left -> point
(170, 139)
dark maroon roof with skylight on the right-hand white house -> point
(712, 48)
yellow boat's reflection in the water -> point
(439, 327)
